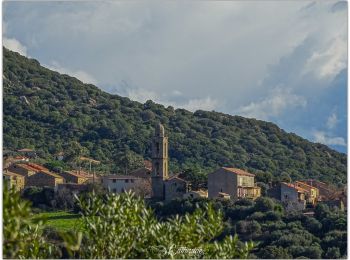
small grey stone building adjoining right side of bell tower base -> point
(175, 187)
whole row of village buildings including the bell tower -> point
(154, 182)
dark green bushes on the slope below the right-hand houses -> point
(277, 234)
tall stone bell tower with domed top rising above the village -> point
(159, 162)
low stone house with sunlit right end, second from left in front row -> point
(44, 178)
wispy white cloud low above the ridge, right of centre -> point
(274, 105)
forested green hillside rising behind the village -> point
(51, 112)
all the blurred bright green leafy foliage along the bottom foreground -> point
(114, 226)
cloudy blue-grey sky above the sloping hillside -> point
(278, 61)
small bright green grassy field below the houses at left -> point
(60, 220)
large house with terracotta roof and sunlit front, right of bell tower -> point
(235, 182)
